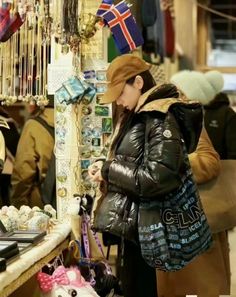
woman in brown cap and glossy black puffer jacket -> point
(132, 86)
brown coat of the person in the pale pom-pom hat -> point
(209, 273)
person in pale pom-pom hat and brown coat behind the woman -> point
(208, 274)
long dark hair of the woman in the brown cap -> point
(148, 83)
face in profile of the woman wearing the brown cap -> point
(130, 95)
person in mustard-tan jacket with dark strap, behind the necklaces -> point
(32, 159)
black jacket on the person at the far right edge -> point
(220, 122)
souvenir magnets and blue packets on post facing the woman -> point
(93, 125)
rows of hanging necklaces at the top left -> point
(24, 54)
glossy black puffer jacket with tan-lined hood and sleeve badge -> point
(155, 171)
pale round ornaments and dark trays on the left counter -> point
(21, 230)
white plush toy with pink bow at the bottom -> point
(65, 282)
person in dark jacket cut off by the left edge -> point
(11, 137)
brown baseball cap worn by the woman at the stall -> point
(119, 71)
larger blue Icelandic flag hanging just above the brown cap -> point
(123, 27)
